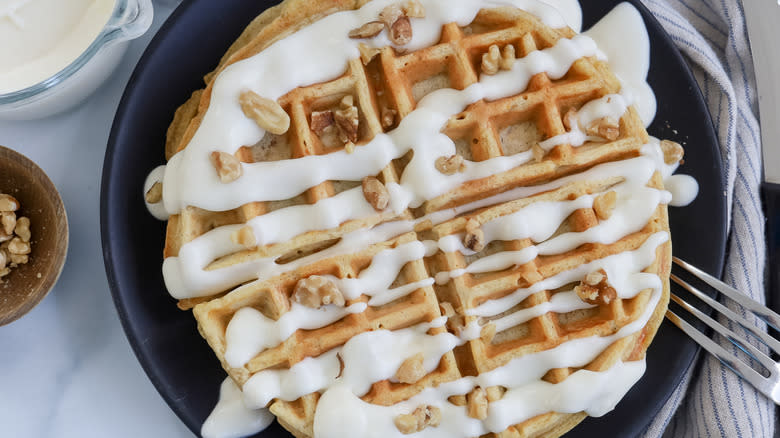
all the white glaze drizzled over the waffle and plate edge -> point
(189, 179)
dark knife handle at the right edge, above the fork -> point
(771, 194)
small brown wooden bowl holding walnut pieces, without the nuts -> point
(27, 284)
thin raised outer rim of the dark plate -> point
(110, 261)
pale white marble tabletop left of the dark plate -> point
(66, 368)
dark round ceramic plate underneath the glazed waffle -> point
(166, 340)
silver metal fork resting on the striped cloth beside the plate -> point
(769, 386)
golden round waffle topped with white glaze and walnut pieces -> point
(498, 228)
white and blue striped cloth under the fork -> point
(712, 401)
